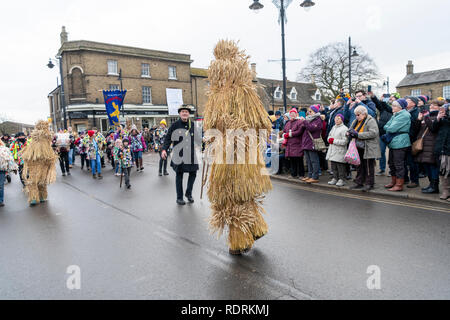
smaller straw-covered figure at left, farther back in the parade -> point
(39, 163)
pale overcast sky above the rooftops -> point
(392, 32)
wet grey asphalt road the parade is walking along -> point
(138, 244)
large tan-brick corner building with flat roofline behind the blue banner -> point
(89, 67)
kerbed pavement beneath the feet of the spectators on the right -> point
(379, 191)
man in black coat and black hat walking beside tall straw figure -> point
(182, 135)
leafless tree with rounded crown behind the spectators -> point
(328, 67)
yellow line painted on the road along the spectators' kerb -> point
(368, 198)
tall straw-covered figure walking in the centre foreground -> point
(236, 190)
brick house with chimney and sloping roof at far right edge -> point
(431, 83)
